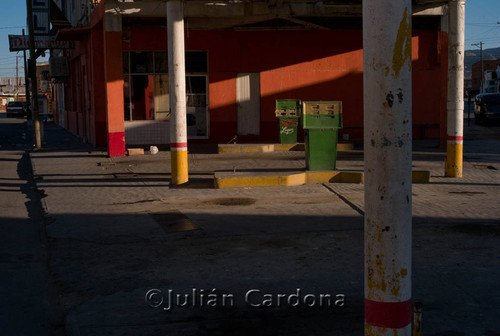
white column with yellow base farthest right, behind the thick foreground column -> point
(455, 104)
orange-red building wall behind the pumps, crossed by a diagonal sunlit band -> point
(308, 65)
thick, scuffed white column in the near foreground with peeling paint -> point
(388, 159)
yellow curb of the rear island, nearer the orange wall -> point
(263, 148)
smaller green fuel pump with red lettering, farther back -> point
(288, 113)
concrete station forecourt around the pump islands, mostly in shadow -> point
(117, 229)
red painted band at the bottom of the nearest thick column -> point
(394, 315)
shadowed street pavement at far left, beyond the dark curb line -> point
(24, 308)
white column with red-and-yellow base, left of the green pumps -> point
(177, 85)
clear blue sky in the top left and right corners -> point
(480, 25)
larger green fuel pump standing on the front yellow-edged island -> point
(321, 121)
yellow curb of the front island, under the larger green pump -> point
(238, 180)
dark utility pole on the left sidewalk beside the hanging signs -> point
(32, 69)
